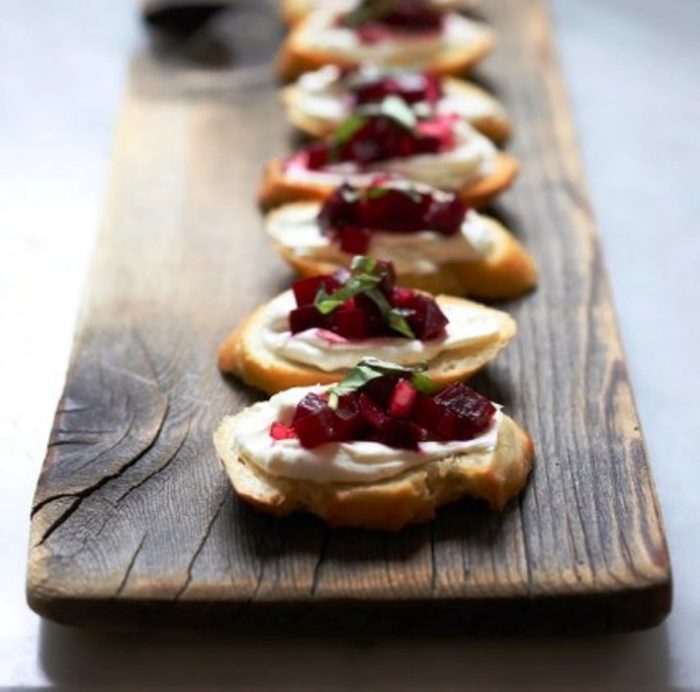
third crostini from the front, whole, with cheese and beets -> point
(436, 242)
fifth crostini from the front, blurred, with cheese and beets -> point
(319, 101)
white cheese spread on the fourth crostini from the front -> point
(472, 158)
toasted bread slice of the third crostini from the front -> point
(506, 272)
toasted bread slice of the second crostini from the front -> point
(245, 354)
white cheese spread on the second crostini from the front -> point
(468, 325)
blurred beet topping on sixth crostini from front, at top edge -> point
(379, 20)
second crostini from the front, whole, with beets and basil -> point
(316, 332)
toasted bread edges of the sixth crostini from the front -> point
(297, 57)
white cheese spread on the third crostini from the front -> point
(295, 227)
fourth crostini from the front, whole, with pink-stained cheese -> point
(443, 151)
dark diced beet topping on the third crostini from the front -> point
(352, 213)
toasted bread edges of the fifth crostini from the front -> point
(496, 125)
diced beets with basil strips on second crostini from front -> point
(364, 303)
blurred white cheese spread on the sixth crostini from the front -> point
(322, 34)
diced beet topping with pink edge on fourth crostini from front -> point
(379, 133)
